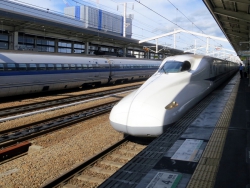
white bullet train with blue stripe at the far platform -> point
(23, 73)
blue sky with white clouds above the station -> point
(155, 17)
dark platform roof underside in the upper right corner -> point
(234, 20)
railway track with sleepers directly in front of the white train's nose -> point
(96, 170)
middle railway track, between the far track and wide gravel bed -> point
(16, 135)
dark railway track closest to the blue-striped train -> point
(41, 105)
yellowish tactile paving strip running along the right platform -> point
(207, 168)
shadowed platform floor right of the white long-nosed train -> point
(213, 151)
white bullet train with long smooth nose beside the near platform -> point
(180, 83)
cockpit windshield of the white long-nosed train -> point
(175, 66)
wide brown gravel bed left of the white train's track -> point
(59, 152)
